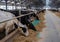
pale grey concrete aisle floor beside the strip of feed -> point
(52, 32)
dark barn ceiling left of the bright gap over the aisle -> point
(27, 3)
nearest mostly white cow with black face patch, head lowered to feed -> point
(9, 25)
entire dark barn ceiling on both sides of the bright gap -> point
(31, 3)
